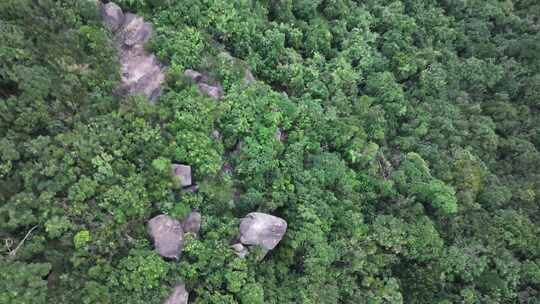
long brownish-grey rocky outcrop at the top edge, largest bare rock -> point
(141, 73)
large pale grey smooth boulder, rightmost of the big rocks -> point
(262, 229)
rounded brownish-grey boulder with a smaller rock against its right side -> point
(167, 235)
